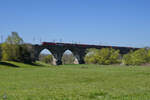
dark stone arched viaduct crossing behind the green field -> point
(78, 50)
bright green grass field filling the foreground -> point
(73, 82)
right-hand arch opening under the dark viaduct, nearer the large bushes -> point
(69, 58)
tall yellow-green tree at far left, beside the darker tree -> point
(11, 47)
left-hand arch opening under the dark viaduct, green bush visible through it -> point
(45, 56)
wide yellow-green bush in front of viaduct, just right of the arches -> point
(104, 56)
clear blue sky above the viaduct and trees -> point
(102, 22)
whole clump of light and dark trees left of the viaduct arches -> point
(14, 50)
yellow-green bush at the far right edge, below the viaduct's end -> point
(137, 57)
